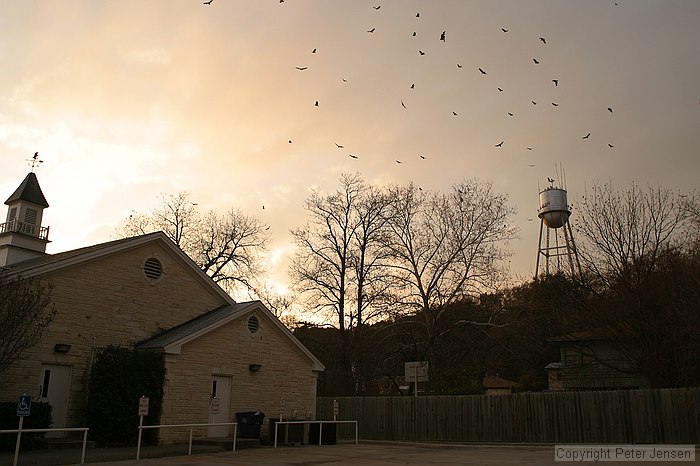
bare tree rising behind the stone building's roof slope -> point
(226, 246)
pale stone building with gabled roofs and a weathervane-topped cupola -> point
(145, 293)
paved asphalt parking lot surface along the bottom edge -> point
(350, 454)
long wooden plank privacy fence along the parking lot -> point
(620, 416)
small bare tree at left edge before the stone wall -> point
(25, 314)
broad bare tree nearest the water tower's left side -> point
(446, 248)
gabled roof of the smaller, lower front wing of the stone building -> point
(171, 340)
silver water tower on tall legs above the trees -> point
(558, 251)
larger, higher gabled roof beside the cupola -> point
(56, 262)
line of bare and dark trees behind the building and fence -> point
(397, 273)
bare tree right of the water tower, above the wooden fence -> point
(640, 252)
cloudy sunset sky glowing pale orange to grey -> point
(127, 100)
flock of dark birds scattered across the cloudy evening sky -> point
(443, 37)
